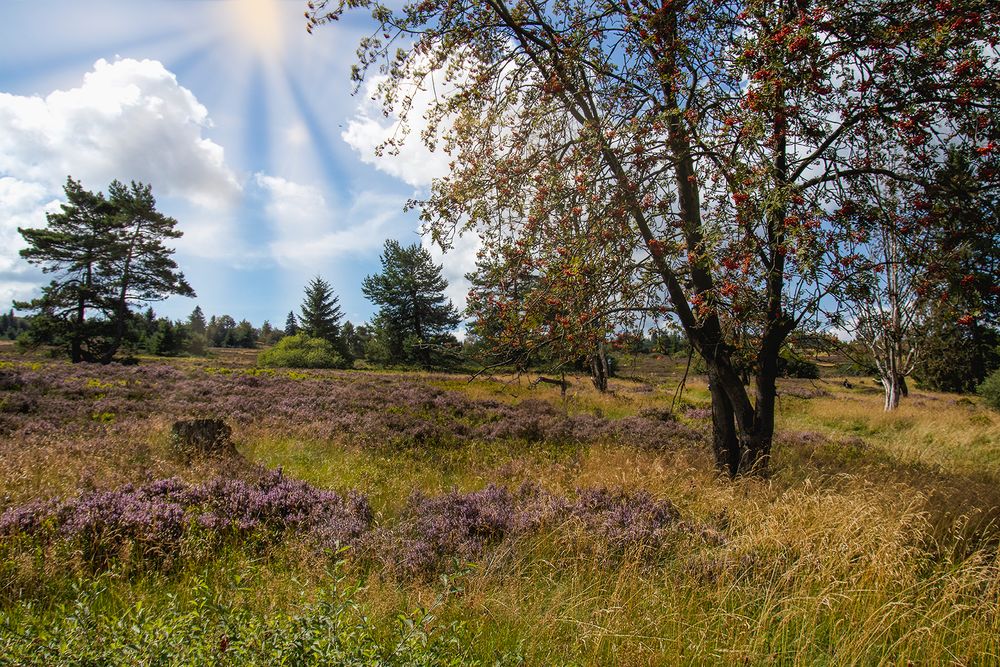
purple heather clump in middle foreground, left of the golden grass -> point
(435, 530)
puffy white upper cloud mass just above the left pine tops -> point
(130, 119)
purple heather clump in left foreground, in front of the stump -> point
(156, 516)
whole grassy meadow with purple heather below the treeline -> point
(378, 517)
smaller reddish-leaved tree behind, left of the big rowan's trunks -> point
(553, 300)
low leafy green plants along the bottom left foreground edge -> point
(207, 628)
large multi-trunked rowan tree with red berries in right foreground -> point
(713, 136)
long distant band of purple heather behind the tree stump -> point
(367, 409)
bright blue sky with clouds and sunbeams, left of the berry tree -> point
(244, 125)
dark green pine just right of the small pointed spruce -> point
(414, 313)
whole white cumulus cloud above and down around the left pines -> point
(128, 120)
